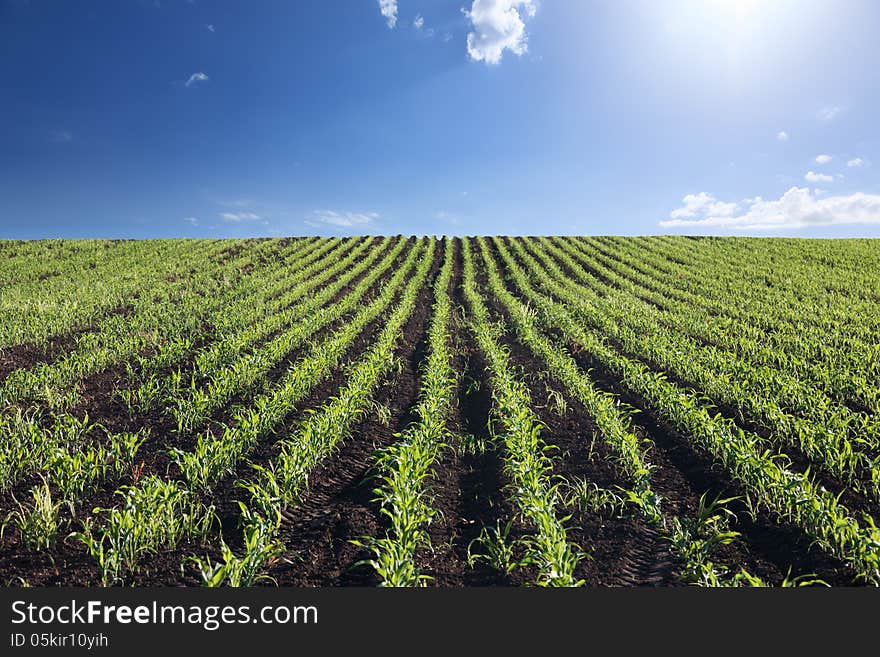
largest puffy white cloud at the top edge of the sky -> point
(498, 26)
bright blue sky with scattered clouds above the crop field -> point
(178, 118)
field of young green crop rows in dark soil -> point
(486, 411)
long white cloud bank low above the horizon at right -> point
(797, 208)
